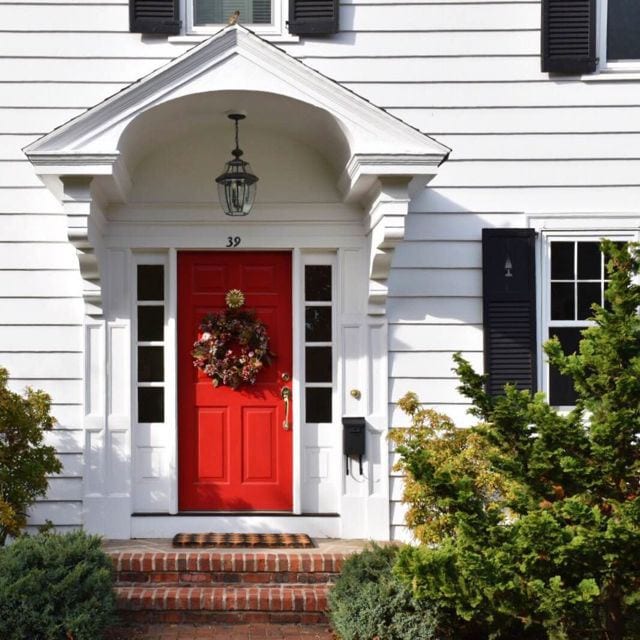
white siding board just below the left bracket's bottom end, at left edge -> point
(42, 339)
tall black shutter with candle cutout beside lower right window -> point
(509, 309)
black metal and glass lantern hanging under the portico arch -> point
(237, 185)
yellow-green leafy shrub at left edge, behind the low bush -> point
(25, 461)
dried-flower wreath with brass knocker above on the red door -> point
(233, 346)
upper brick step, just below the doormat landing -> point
(204, 568)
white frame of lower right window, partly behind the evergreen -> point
(548, 237)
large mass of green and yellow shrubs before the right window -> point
(549, 548)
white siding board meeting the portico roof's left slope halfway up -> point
(58, 95)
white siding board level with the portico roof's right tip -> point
(537, 146)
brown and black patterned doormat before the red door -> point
(243, 540)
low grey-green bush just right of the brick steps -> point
(369, 602)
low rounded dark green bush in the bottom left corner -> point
(55, 587)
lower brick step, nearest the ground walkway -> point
(259, 603)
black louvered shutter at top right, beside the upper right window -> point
(569, 36)
